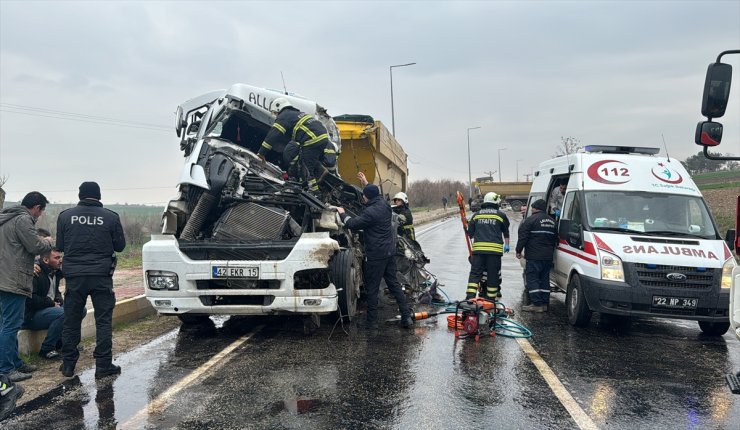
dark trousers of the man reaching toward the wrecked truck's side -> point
(373, 272)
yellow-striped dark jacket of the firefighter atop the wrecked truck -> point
(293, 125)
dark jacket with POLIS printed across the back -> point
(89, 235)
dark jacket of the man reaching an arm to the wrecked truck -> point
(375, 221)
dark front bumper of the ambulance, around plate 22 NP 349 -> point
(621, 298)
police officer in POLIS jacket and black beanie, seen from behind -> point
(89, 236)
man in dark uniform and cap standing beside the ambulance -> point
(538, 236)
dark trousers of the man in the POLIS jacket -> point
(100, 289)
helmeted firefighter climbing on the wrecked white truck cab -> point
(303, 129)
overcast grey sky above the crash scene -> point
(528, 73)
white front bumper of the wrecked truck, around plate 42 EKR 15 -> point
(272, 293)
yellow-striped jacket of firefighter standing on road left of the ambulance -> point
(487, 228)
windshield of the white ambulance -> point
(639, 212)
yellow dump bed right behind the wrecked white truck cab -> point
(368, 147)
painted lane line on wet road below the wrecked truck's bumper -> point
(162, 400)
